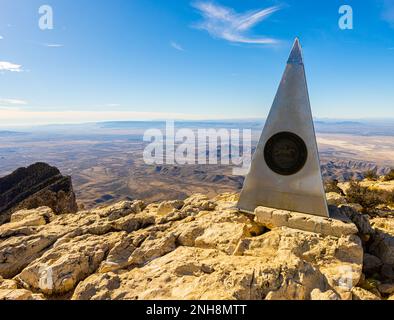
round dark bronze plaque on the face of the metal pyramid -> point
(285, 153)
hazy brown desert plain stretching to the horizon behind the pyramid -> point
(105, 160)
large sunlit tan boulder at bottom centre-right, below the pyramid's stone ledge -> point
(280, 264)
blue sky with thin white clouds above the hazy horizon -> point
(150, 59)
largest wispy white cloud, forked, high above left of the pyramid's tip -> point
(224, 23)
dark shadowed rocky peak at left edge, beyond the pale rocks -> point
(35, 186)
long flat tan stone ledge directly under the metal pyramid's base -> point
(334, 226)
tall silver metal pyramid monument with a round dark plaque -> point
(285, 172)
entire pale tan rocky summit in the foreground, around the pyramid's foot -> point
(198, 248)
